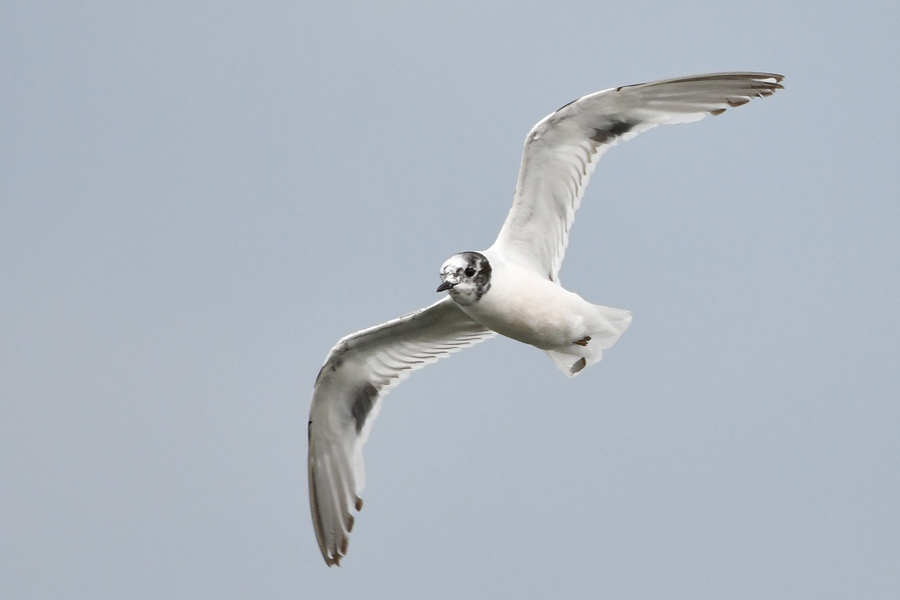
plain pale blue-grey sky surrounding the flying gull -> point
(198, 199)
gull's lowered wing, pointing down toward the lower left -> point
(358, 373)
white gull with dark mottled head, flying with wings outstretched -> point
(511, 289)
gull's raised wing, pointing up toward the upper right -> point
(562, 150)
